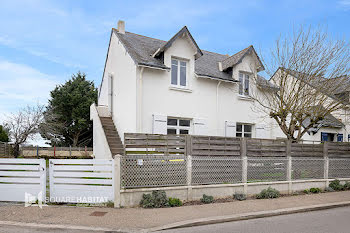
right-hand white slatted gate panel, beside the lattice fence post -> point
(81, 180)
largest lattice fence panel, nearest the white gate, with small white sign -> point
(153, 171)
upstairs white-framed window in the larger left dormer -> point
(178, 73)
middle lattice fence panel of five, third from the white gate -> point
(267, 169)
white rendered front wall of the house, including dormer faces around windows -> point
(200, 101)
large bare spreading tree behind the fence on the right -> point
(310, 74)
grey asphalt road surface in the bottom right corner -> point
(326, 221)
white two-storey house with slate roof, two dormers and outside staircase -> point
(174, 87)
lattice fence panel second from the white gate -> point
(216, 170)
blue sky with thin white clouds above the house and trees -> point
(43, 42)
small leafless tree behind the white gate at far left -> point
(24, 124)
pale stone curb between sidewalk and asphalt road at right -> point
(246, 216)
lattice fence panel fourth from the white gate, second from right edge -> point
(307, 168)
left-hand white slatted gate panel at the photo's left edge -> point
(21, 177)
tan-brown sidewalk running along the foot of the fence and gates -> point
(136, 219)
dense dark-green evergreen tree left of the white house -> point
(67, 117)
